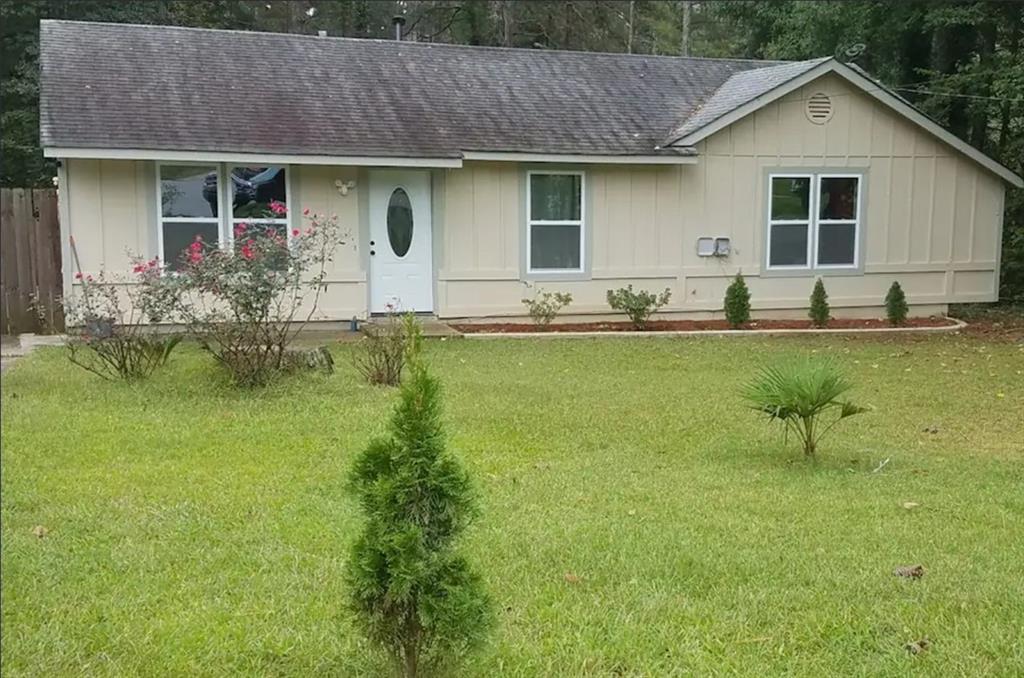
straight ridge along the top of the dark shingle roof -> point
(421, 45)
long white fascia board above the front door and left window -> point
(243, 158)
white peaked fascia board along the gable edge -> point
(870, 88)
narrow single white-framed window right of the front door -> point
(556, 222)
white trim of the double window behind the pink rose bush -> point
(226, 220)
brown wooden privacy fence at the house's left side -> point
(30, 262)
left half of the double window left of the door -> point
(190, 209)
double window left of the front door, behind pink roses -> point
(193, 199)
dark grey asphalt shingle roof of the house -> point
(127, 87)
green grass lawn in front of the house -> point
(637, 520)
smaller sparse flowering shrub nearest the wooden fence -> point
(108, 324)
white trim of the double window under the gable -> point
(814, 223)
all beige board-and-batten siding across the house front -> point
(932, 219)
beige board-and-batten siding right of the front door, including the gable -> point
(932, 219)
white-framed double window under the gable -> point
(814, 222)
